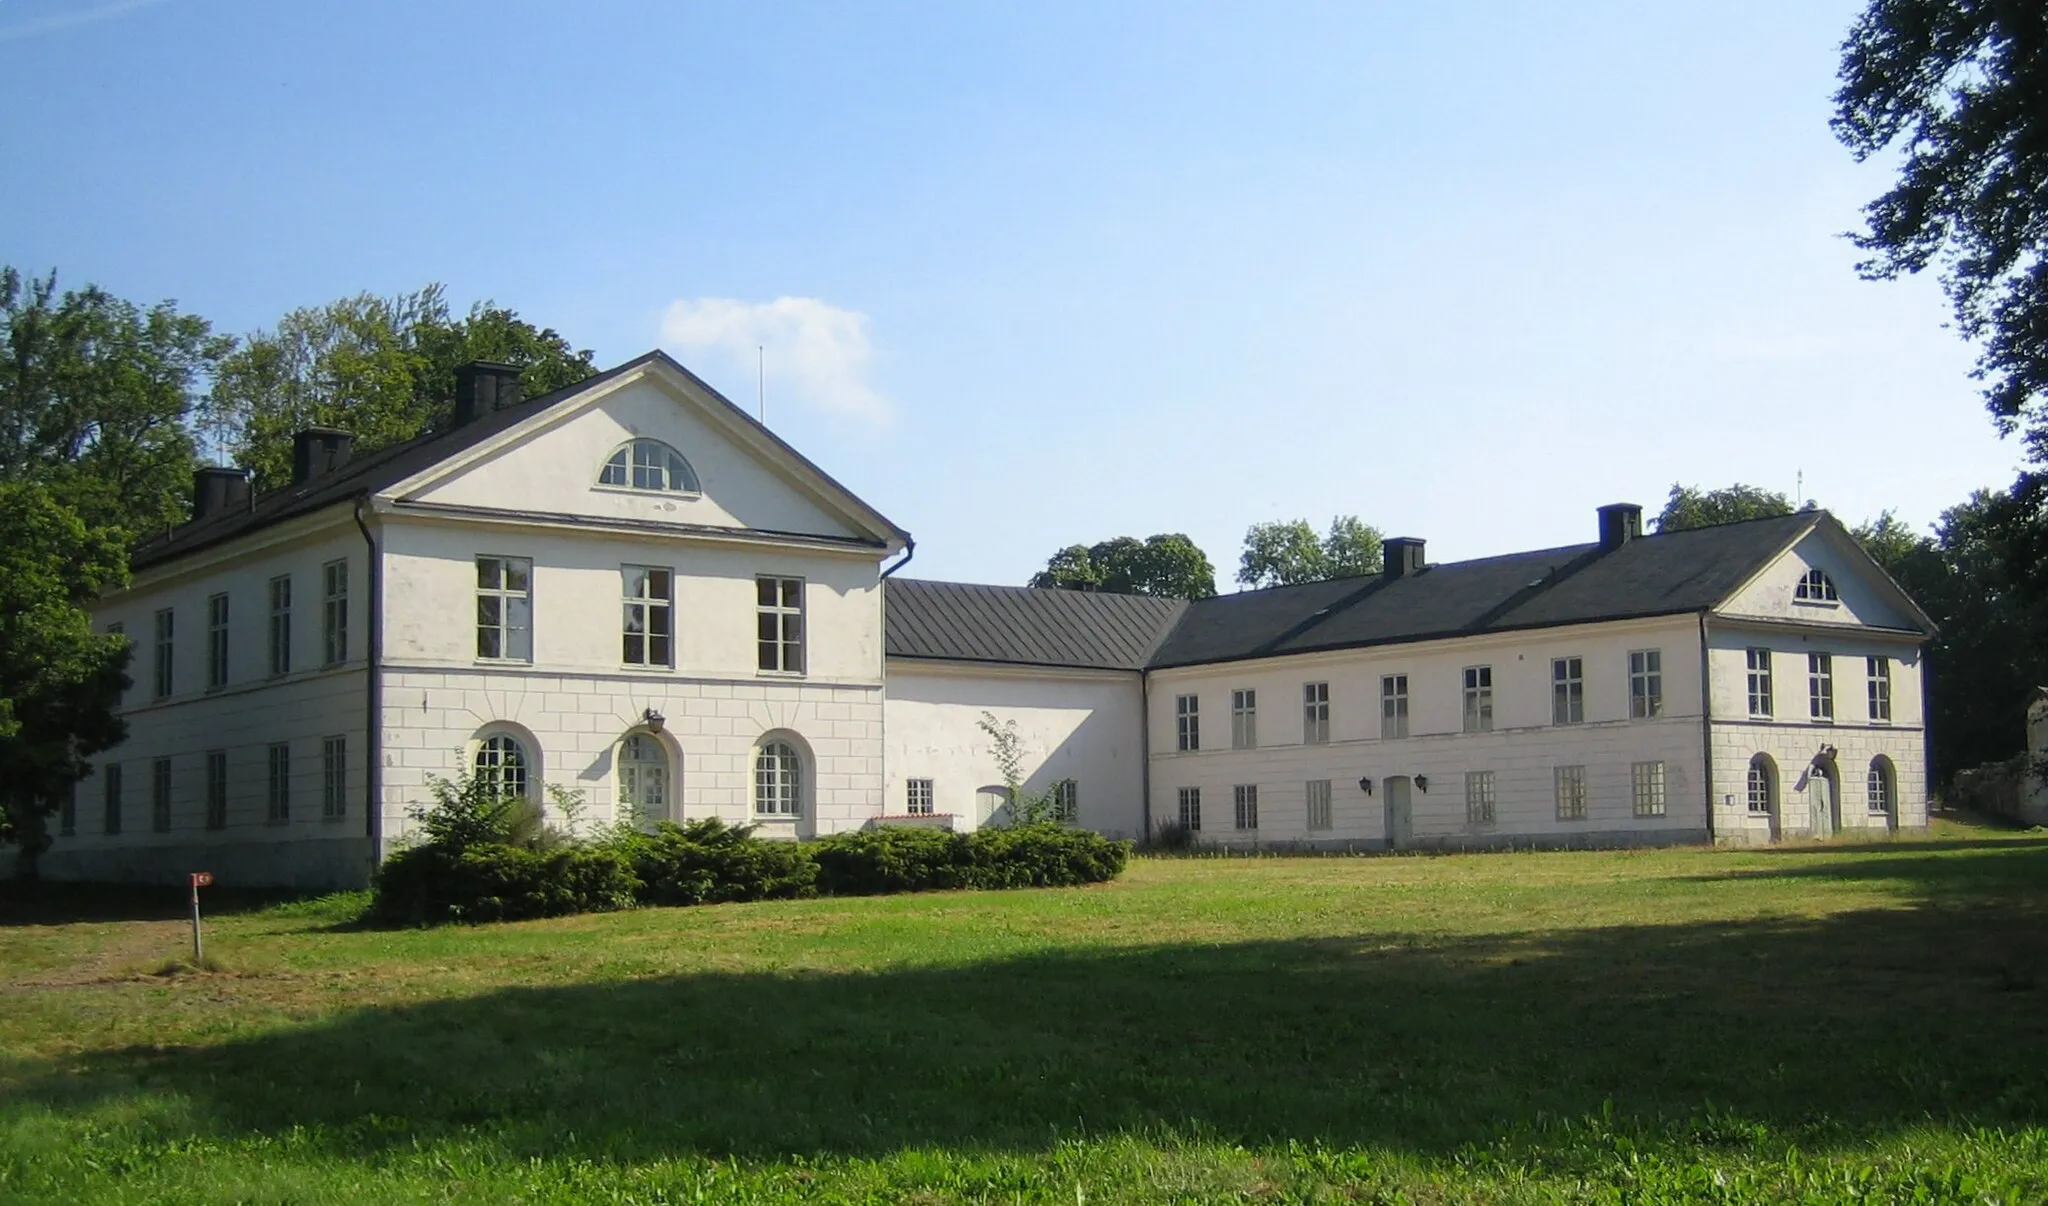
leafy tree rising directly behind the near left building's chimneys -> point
(380, 368)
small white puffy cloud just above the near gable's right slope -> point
(816, 353)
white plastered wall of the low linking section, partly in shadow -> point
(1072, 724)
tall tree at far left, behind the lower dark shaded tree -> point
(95, 396)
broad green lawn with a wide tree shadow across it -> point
(1809, 1025)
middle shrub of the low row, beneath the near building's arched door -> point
(708, 863)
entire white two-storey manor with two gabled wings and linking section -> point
(634, 591)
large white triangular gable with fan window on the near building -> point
(550, 464)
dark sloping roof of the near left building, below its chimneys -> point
(386, 468)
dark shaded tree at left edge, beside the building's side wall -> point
(58, 679)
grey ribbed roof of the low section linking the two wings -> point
(1021, 626)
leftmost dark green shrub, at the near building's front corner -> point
(501, 884)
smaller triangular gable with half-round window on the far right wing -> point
(1865, 595)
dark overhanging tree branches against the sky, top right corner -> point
(1963, 89)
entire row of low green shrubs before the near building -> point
(710, 863)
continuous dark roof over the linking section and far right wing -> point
(1648, 576)
